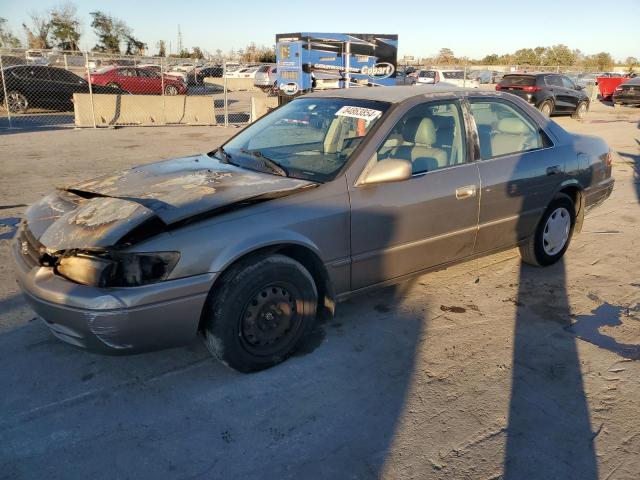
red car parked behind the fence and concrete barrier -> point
(140, 80)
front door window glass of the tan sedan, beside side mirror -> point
(430, 136)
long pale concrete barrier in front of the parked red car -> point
(143, 110)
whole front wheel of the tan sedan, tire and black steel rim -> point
(260, 312)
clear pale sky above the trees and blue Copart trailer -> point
(470, 28)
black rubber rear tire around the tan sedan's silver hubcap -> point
(533, 251)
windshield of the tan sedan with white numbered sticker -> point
(308, 138)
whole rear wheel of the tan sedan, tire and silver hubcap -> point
(553, 233)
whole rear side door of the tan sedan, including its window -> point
(519, 172)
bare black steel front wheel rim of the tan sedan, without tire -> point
(270, 320)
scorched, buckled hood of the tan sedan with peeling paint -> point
(100, 212)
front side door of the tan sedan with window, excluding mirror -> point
(430, 219)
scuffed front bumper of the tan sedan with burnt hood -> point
(113, 320)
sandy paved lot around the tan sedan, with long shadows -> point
(486, 370)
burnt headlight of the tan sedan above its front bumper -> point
(117, 269)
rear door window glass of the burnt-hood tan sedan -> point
(503, 130)
